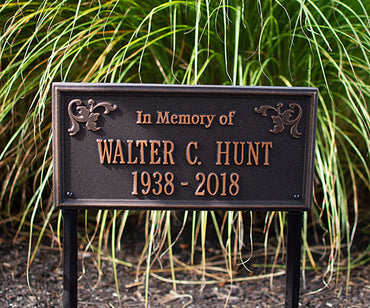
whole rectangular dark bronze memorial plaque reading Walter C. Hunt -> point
(183, 147)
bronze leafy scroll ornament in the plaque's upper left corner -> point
(86, 115)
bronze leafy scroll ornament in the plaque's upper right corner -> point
(283, 119)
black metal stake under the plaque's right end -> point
(293, 265)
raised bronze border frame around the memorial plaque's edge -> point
(63, 202)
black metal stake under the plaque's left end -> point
(70, 258)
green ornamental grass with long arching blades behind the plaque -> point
(313, 43)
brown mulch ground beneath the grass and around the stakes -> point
(45, 278)
